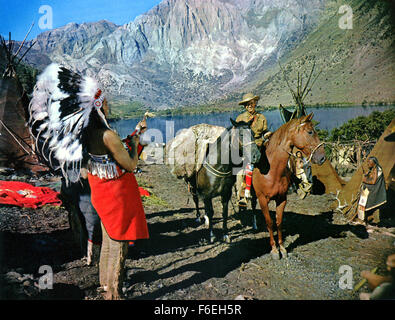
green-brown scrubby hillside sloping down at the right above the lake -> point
(357, 65)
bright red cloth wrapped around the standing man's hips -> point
(118, 203)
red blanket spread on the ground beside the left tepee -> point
(25, 195)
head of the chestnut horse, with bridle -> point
(306, 139)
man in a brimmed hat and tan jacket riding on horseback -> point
(261, 134)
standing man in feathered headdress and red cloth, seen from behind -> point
(70, 112)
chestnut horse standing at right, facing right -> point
(272, 183)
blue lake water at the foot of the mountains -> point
(163, 129)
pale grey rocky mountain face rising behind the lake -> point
(182, 51)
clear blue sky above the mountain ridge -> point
(18, 15)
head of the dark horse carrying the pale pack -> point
(246, 140)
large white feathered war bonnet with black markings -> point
(60, 112)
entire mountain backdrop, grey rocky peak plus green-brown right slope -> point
(196, 52)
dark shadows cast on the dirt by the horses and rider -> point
(245, 247)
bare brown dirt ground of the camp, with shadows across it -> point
(178, 263)
